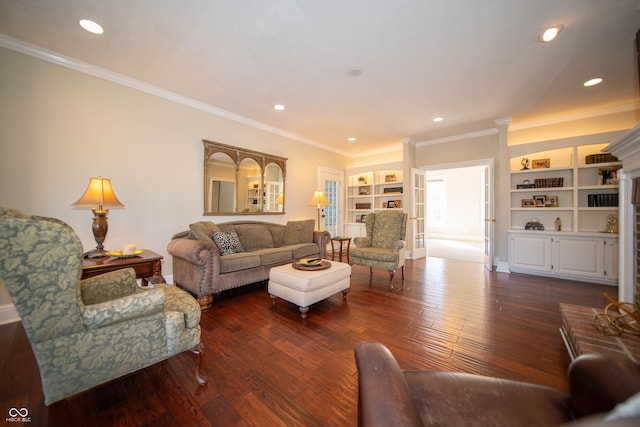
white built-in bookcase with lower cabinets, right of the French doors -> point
(582, 198)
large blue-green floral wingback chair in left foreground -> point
(87, 332)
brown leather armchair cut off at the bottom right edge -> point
(388, 396)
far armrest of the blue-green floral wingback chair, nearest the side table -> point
(108, 286)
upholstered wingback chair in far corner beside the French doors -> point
(383, 247)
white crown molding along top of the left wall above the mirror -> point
(40, 53)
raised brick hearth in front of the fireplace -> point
(581, 336)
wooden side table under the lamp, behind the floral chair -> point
(148, 266)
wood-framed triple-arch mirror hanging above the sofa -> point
(242, 182)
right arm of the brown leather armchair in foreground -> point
(598, 382)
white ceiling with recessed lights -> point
(470, 61)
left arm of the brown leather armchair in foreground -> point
(384, 398)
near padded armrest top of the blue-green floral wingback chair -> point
(140, 304)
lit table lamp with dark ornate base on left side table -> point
(99, 193)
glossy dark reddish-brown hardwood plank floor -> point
(268, 367)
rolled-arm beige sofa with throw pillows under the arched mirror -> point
(204, 268)
